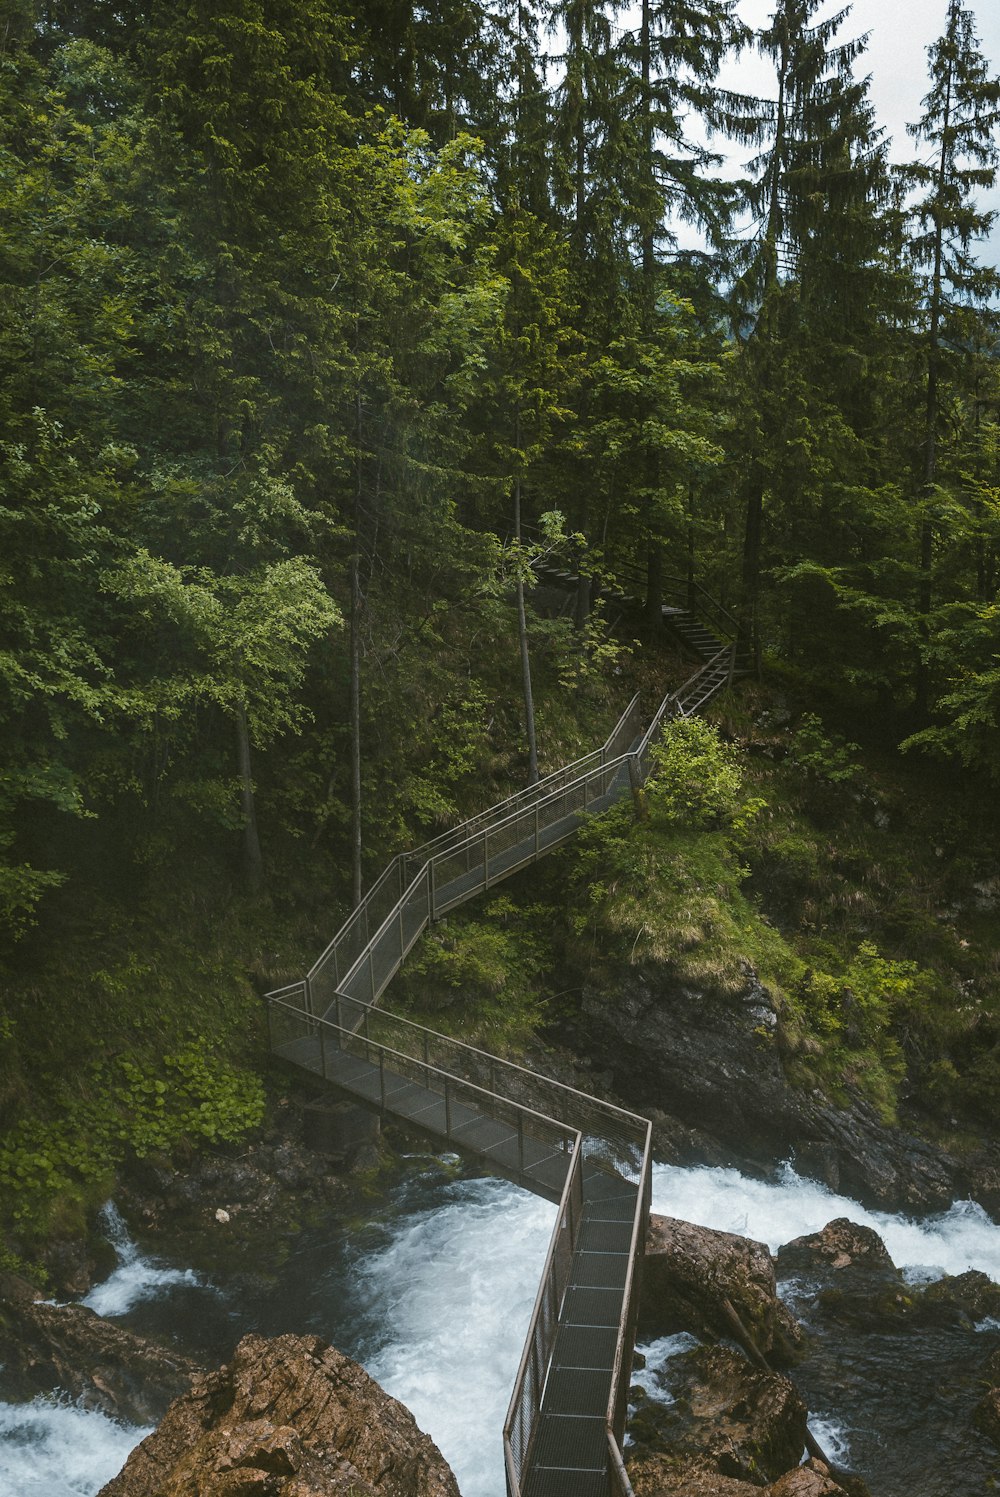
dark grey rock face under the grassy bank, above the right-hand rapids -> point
(715, 1062)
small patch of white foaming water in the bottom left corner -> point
(52, 1448)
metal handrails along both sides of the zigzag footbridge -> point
(609, 1129)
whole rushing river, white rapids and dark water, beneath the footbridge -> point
(433, 1296)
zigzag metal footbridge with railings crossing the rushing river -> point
(565, 1424)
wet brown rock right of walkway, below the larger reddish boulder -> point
(728, 1417)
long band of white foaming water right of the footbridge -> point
(788, 1207)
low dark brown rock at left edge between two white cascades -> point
(49, 1347)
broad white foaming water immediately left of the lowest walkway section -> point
(456, 1288)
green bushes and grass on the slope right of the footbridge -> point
(784, 856)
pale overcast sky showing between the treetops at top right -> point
(900, 32)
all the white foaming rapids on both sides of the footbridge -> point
(441, 1302)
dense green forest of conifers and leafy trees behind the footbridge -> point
(321, 332)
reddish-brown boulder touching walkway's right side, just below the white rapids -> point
(695, 1279)
